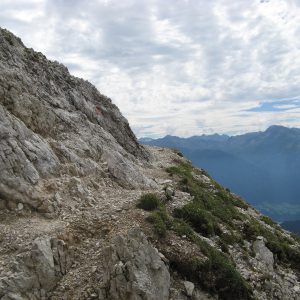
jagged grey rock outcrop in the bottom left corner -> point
(37, 271)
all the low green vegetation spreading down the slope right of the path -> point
(212, 210)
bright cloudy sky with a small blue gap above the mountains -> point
(180, 67)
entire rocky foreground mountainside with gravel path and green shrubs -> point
(86, 212)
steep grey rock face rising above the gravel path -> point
(52, 124)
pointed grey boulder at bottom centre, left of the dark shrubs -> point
(134, 270)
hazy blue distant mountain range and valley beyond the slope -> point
(262, 167)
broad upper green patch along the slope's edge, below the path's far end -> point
(208, 209)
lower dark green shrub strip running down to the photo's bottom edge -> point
(216, 273)
